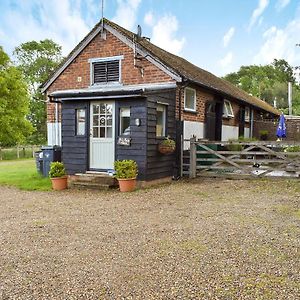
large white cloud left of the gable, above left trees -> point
(37, 20)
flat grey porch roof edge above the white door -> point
(110, 92)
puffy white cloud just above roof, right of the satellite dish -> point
(164, 34)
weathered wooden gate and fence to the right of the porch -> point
(241, 159)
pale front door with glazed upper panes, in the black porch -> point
(102, 135)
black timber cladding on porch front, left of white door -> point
(74, 148)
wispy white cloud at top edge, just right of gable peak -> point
(126, 13)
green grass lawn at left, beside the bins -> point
(23, 175)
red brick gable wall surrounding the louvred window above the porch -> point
(99, 47)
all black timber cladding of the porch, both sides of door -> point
(143, 147)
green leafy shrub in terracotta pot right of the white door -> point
(126, 173)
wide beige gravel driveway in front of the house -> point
(211, 239)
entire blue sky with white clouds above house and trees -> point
(217, 35)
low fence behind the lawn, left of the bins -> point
(19, 152)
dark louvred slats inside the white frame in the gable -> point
(106, 71)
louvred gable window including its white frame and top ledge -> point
(105, 70)
